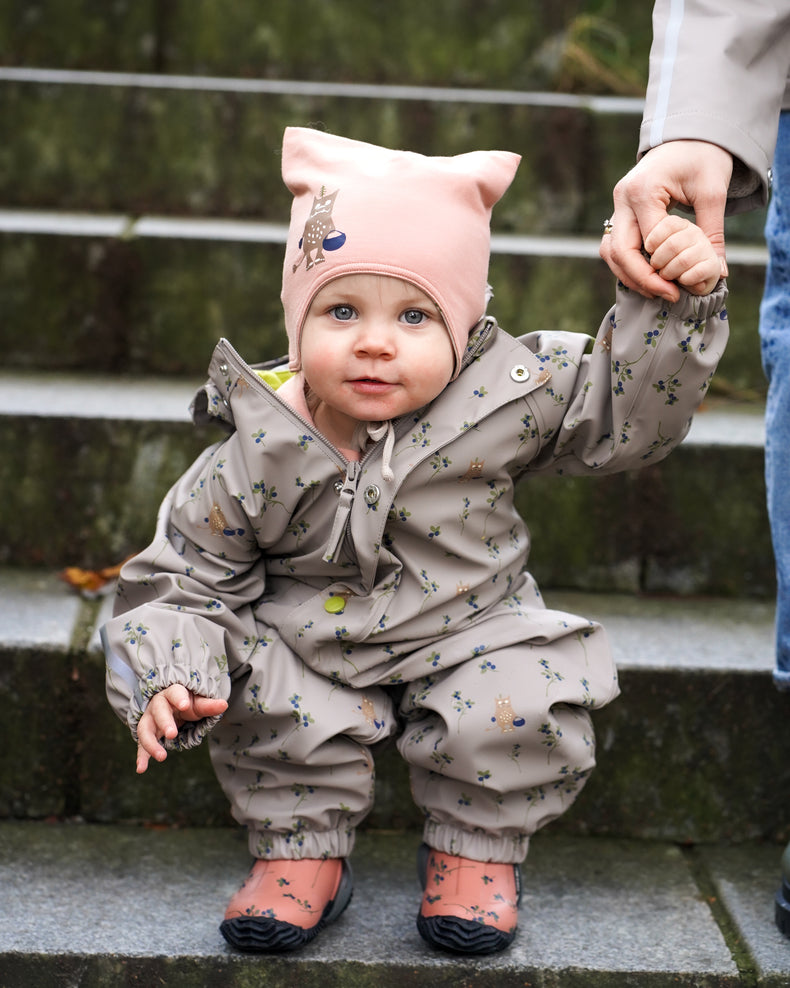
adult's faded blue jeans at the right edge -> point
(775, 348)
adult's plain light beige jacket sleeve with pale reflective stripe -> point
(718, 72)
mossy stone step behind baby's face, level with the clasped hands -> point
(151, 294)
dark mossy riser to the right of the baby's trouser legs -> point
(666, 771)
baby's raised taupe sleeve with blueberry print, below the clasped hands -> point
(629, 398)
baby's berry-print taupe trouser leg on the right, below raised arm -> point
(503, 743)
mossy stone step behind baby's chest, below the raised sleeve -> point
(121, 442)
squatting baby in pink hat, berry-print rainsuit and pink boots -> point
(347, 565)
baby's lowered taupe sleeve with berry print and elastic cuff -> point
(183, 608)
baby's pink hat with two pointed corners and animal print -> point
(359, 208)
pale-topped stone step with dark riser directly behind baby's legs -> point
(691, 751)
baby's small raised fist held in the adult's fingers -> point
(681, 252)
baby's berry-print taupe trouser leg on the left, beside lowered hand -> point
(292, 755)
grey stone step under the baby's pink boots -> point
(96, 906)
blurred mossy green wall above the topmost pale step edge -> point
(570, 45)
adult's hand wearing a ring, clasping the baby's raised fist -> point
(694, 173)
